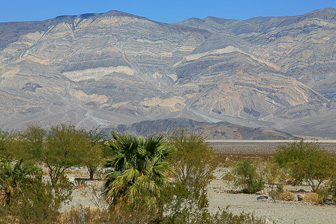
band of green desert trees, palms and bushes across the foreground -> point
(149, 180)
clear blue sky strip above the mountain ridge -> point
(164, 11)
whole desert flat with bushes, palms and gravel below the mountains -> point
(52, 173)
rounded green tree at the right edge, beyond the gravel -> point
(307, 162)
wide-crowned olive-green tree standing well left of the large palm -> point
(59, 147)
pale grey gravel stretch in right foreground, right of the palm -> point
(278, 212)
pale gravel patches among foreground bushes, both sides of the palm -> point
(278, 212)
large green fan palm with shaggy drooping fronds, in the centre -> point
(138, 171)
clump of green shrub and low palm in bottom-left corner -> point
(27, 198)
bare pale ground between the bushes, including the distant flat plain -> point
(278, 212)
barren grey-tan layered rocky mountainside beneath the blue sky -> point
(117, 68)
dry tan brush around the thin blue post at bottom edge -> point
(93, 215)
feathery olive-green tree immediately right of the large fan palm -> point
(193, 162)
